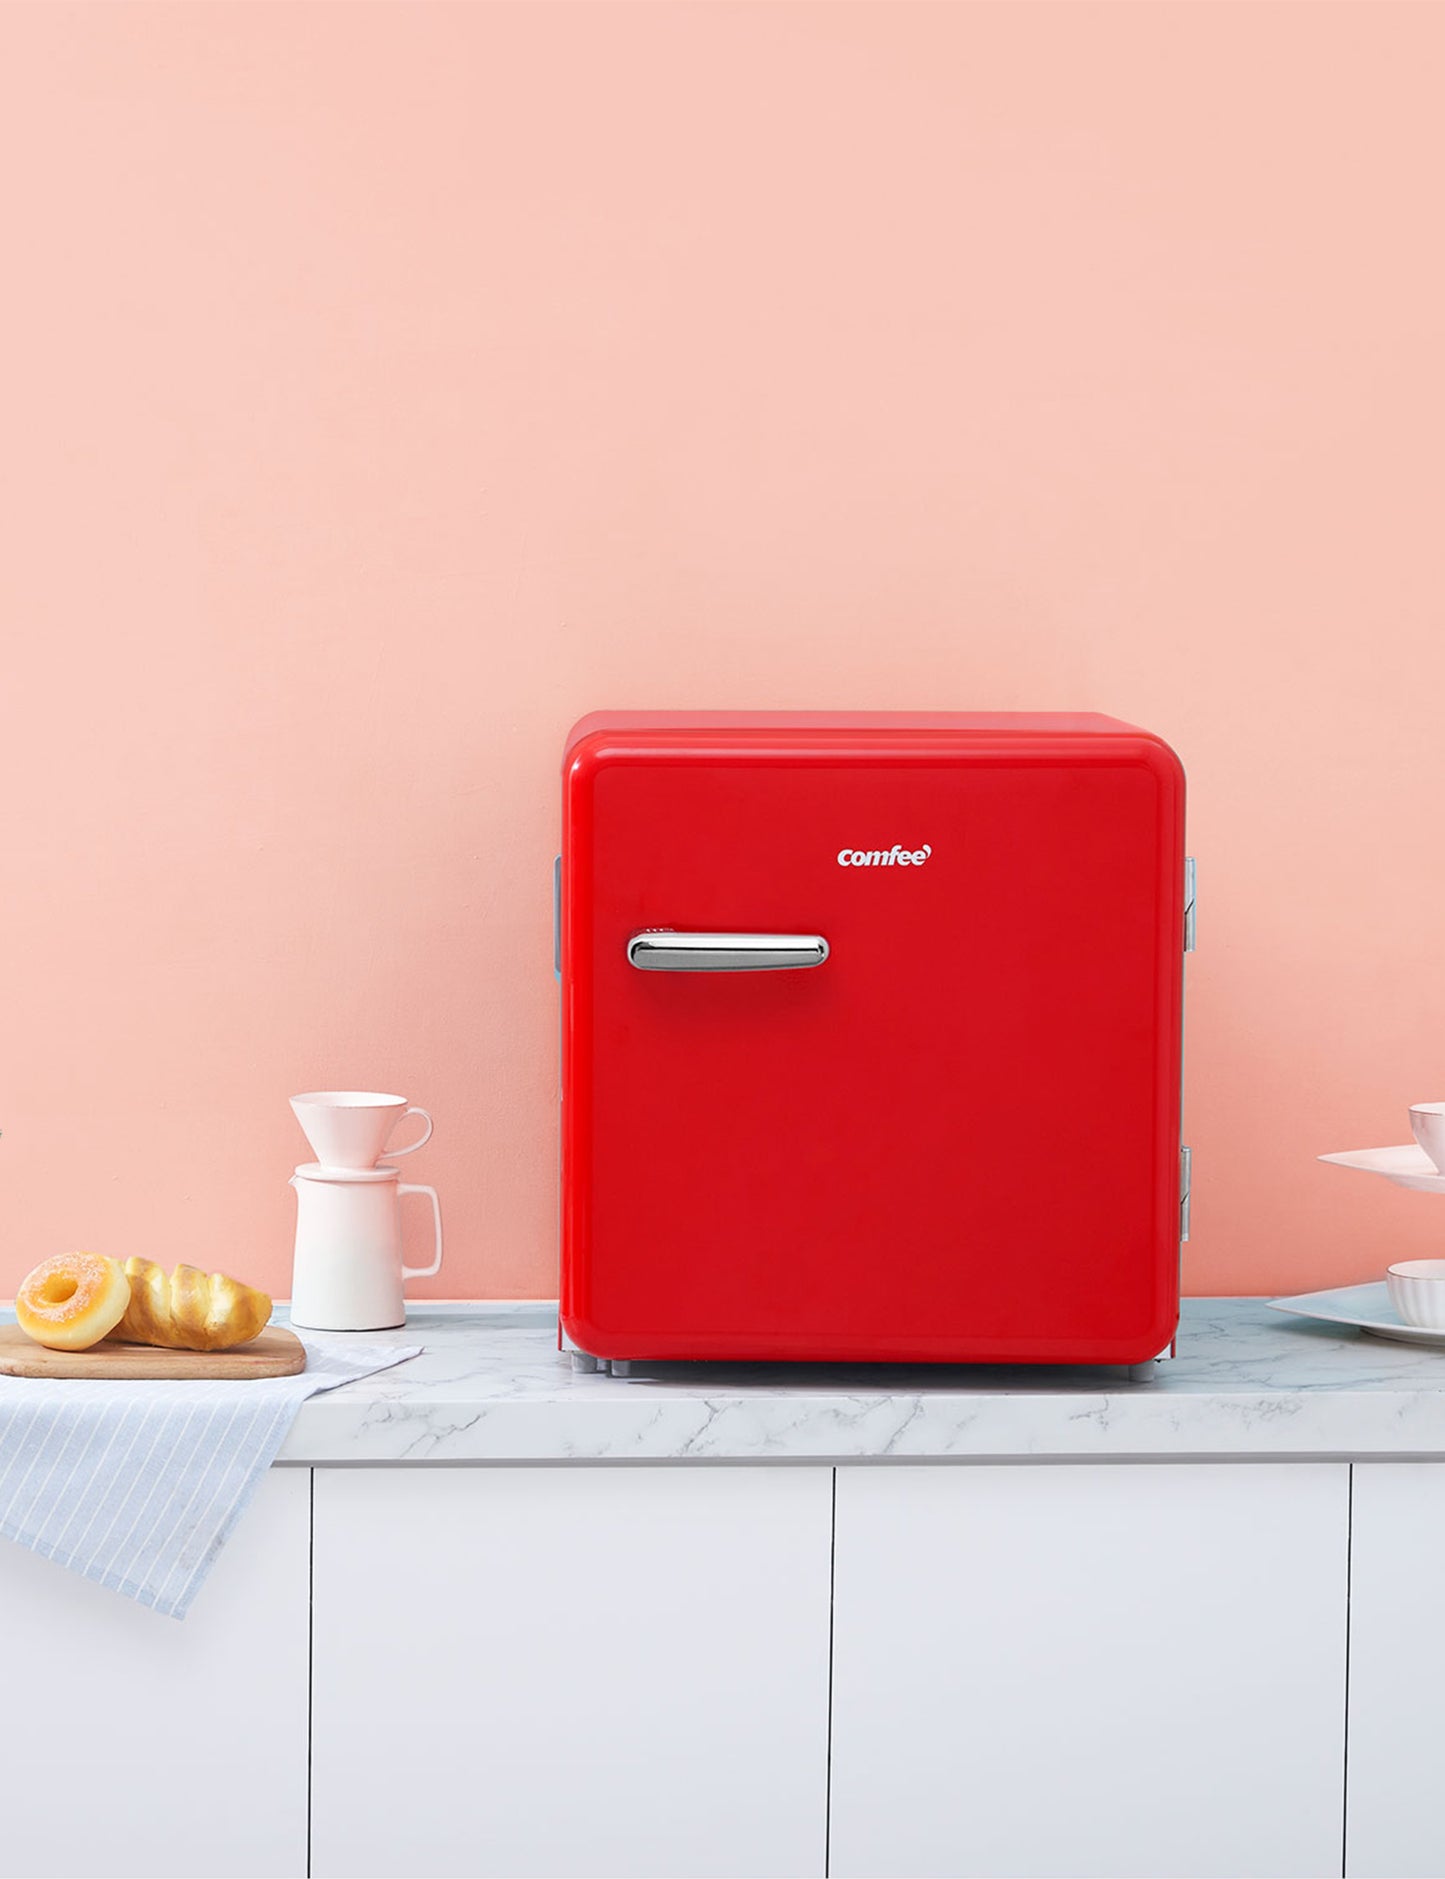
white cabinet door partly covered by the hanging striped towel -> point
(134, 1745)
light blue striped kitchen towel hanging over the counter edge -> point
(140, 1485)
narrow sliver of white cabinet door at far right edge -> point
(1397, 1673)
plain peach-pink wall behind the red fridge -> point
(392, 384)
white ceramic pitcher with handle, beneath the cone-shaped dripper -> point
(349, 1264)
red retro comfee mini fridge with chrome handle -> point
(871, 1038)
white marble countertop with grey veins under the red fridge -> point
(1247, 1382)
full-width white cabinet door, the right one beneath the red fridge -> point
(1091, 1671)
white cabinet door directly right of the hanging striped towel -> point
(570, 1671)
